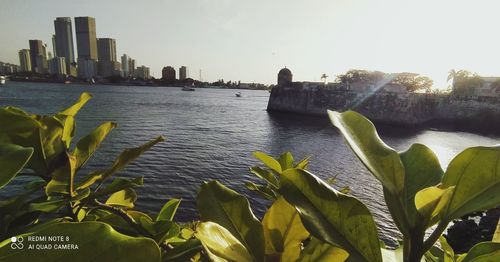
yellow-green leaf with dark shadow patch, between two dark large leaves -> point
(283, 231)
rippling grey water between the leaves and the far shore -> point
(211, 134)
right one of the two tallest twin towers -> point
(86, 43)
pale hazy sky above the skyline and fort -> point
(252, 40)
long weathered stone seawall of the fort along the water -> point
(390, 107)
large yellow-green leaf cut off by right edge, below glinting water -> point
(475, 173)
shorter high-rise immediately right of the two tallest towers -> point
(106, 53)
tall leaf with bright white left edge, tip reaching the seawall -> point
(382, 161)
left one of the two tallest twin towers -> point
(63, 40)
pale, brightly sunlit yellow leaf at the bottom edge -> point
(222, 243)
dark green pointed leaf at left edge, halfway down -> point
(13, 158)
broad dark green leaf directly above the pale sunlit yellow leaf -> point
(231, 210)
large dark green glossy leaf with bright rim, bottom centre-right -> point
(331, 216)
